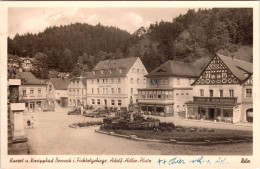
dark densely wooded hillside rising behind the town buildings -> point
(193, 37)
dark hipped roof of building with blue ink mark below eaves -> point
(175, 68)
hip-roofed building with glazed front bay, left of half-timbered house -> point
(168, 88)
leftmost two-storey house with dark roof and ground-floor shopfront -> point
(32, 91)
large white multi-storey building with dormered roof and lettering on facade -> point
(113, 82)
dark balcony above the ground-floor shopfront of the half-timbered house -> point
(215, 100)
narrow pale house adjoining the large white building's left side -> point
(77, 91)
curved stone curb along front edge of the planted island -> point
(173, 141)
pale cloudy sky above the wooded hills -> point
(34, 20)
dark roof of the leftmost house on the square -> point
(29, 79)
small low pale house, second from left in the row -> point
(57, 91)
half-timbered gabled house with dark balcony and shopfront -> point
(223, 91)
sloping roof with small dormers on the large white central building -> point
(114, 66)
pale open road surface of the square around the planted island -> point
(52, 135)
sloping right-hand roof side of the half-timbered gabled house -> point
(237, 67)
